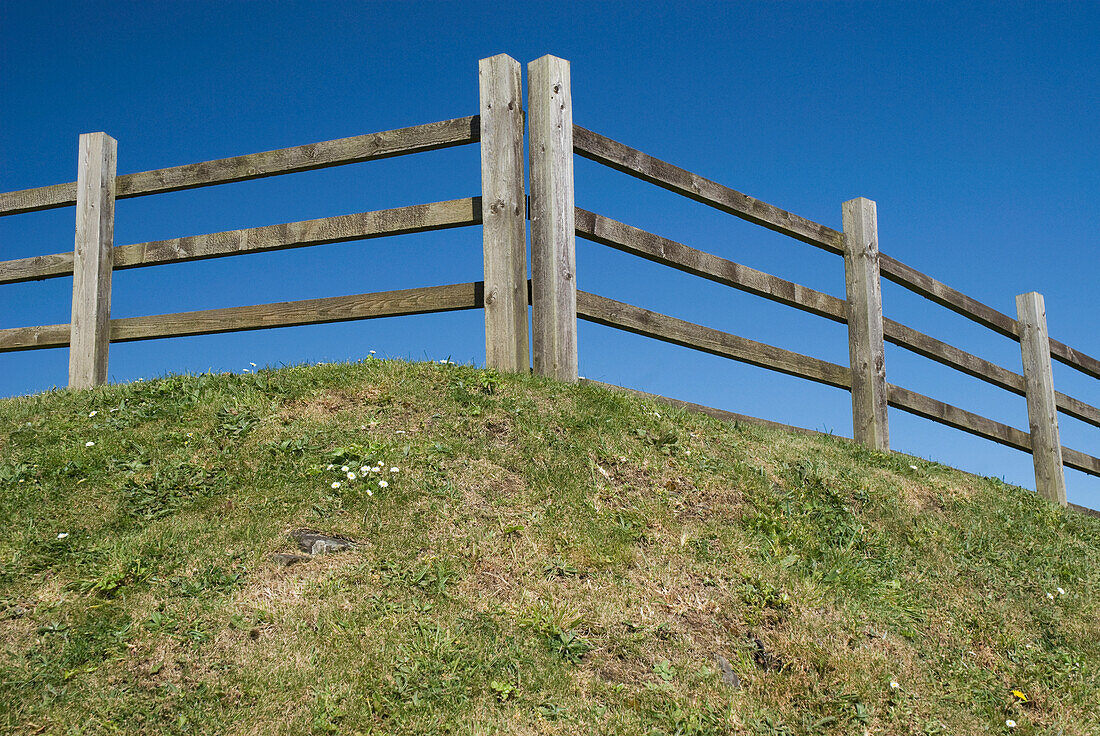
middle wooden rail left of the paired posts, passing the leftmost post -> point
(360, 226)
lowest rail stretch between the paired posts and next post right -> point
(655, 325)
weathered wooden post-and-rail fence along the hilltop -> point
(556, 222)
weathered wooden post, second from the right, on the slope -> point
(867, 355)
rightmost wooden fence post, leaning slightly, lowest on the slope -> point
(1042, 411)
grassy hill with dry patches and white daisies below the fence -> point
(533, 558)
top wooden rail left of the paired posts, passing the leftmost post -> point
(306, 158)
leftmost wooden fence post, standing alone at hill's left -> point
(91, 328)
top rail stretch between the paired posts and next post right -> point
(641, 166)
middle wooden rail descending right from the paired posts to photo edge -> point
(639, 243)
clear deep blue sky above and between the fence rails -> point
(975, 127)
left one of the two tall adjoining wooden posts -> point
(504, 217)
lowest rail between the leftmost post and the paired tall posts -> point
(309, 312)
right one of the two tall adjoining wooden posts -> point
(554, 241)
